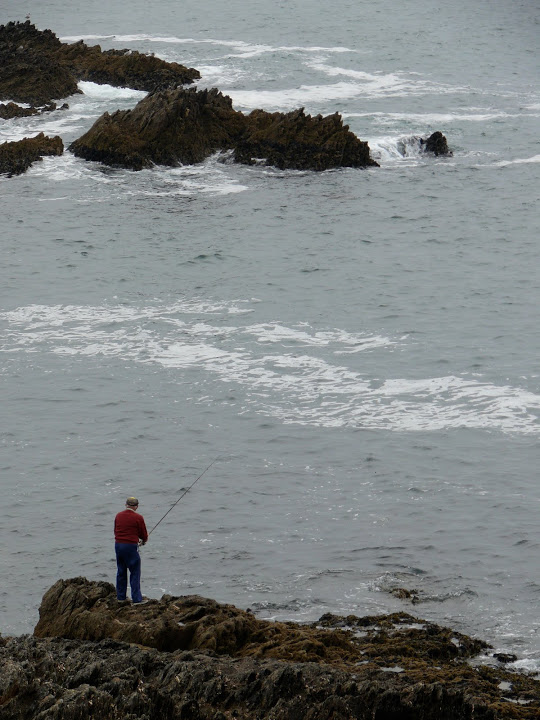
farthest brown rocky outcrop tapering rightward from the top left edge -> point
(35, 67)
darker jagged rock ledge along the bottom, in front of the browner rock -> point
(65, 679)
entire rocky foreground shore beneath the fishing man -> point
(193, 658)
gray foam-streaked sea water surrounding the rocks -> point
(357, 350)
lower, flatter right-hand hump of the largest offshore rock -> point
(302, 142)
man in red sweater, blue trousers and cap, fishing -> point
(129, 531)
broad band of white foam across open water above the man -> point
(282, 370)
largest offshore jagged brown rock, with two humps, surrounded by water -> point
(185, 126)
